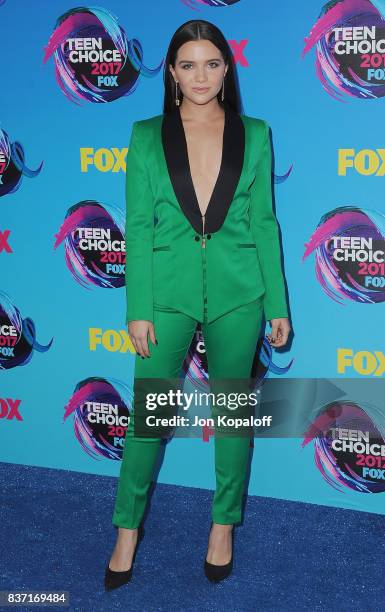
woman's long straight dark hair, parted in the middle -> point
(197, 29)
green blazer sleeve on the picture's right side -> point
(264, 227)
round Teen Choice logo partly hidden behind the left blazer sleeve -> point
(95, 250)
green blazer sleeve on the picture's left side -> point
(139, 231)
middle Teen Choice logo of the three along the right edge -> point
(349, 246)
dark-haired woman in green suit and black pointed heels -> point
(201, 246)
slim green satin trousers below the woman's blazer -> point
(230, 343)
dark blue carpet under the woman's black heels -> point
(56, 533)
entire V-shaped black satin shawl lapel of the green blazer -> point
(176, 155)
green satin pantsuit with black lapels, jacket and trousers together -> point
(222, 270)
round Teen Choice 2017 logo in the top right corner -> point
(349, 37)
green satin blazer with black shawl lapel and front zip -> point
(169, 243)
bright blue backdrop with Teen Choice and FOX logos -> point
(74, 80)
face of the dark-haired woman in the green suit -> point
(199, 70)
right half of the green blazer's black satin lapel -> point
(230, 172)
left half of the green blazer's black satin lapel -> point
(175, 152)
